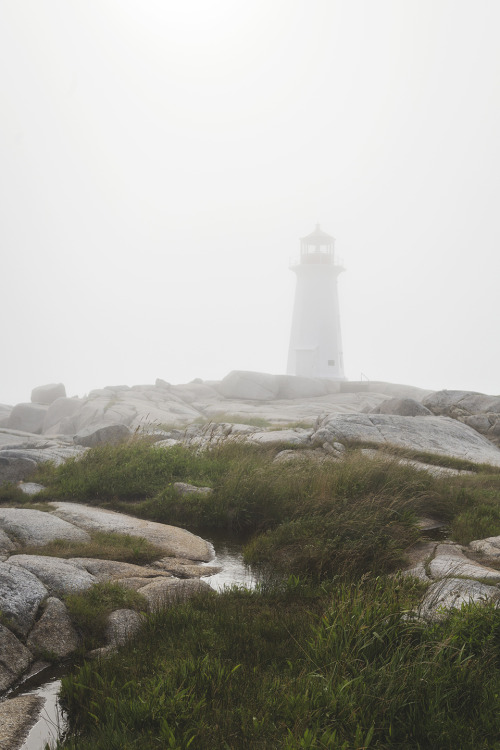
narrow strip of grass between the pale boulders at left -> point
(103, 545)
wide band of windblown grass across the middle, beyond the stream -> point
(347, 518)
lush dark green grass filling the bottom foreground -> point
(336, 666)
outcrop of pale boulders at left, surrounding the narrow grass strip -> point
(35, 620)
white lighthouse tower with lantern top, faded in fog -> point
(315, 341)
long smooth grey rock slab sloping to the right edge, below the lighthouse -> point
(440, 435)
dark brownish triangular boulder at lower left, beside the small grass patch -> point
(54, 631)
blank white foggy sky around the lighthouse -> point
(159, 160)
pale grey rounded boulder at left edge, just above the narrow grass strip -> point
(36, 527)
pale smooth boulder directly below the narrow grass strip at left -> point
(59, 576)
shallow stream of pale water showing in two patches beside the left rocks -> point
(52, 723)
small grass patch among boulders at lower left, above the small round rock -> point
(90, 609)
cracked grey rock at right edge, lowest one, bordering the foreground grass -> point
(452, 593)
